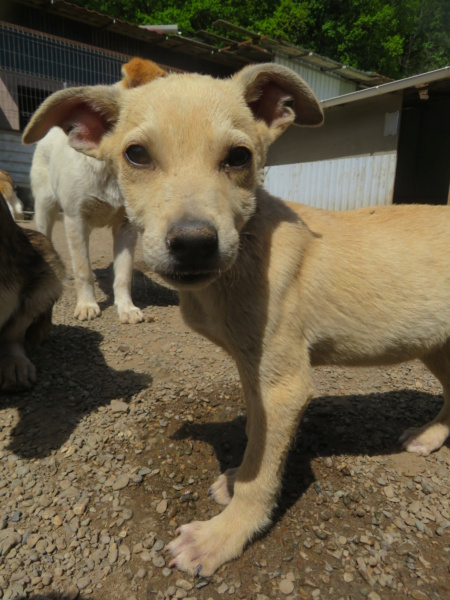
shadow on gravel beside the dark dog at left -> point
(73, 381)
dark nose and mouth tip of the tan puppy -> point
(193, 246)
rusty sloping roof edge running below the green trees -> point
(209, 46)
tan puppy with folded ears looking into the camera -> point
(280, 287)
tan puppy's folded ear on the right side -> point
(279, 97)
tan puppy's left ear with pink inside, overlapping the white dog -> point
(86, 114)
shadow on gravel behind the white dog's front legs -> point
(144, 291)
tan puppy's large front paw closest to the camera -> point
(203, 546)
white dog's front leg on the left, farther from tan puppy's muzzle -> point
(78, 240)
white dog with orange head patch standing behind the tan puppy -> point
(87, 191)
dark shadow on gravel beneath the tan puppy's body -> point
(333, 426)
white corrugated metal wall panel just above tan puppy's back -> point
(339, 184)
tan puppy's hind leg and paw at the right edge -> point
(430, 437)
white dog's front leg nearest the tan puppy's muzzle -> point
(125, 238)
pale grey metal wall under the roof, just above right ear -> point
(324, 85)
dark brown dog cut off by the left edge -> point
(31, 275)
